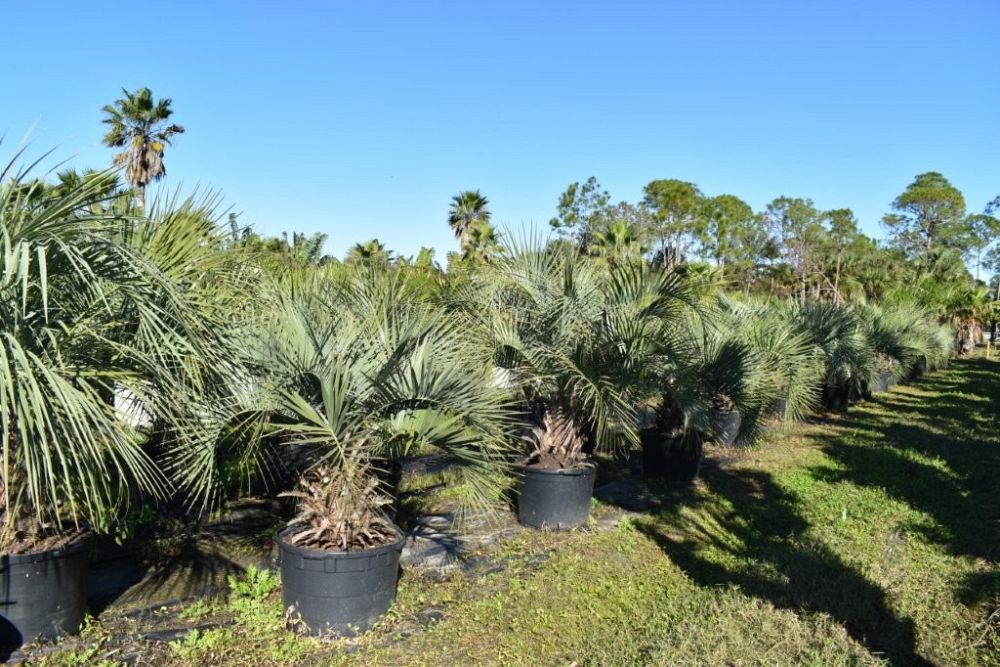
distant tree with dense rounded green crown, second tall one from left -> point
(678, 215)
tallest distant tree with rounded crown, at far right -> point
(930, 216)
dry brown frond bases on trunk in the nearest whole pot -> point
(340, 509)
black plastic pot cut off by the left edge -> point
(42, 595)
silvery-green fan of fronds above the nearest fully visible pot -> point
(367, 372)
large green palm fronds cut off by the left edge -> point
(68, 288)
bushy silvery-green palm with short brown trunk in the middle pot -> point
(578, 342)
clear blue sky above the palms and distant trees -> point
(363, 118)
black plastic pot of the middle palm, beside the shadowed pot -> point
(557, 499)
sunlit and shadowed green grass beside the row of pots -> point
(859, 539)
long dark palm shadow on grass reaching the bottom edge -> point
(747, 532)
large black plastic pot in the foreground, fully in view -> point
(338, 592)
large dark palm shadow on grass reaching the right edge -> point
(939, 454)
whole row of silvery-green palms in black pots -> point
(142, 357)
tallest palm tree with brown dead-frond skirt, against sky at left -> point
(139, 125)
